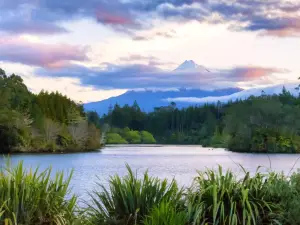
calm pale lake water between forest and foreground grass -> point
(181, 162)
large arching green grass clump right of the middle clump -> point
(221, 198)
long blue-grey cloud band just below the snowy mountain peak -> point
(146, 76)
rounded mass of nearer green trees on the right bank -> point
(263, 124)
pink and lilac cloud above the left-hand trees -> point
(19, 50)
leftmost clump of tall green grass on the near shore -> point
(32, 197)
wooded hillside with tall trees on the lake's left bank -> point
(42, 123)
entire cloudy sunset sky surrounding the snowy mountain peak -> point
(95, 49)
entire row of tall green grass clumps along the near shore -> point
(33, 197)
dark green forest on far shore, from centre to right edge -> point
(258, 124)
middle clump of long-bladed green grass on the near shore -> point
(130, 199)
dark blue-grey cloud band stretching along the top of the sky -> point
(269, 17)
